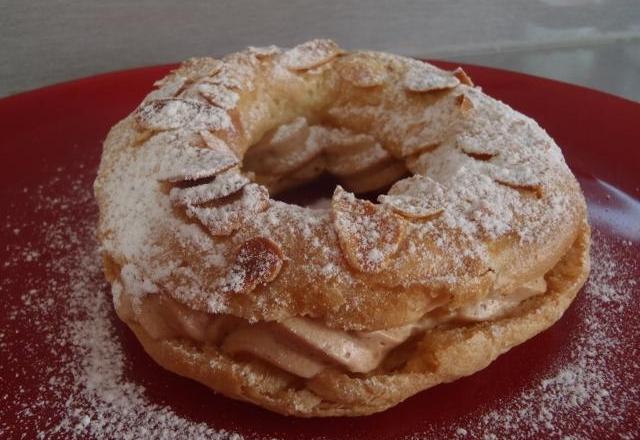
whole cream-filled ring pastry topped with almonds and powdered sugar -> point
(478, 242)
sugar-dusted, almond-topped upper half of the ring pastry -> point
(482, 201)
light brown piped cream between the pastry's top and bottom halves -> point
(302, 346)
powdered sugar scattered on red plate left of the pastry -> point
(80, 389)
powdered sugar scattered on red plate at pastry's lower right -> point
(588, 386)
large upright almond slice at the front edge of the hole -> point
(368, 234)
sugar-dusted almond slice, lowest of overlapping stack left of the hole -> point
(223, 220)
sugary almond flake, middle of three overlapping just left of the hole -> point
(224, 184)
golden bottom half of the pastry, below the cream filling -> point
(440, 355)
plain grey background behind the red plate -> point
(592, 42)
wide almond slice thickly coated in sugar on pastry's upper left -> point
(173, 113)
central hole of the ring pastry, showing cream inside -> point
(302, 161)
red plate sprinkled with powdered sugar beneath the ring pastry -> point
(70, 368)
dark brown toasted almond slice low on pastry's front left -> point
(258, 261)
